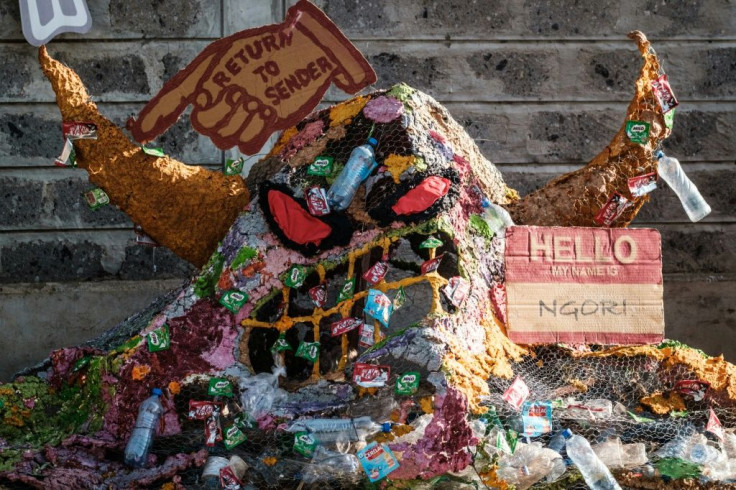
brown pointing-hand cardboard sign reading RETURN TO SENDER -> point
(248, 85)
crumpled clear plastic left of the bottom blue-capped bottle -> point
(529, 464)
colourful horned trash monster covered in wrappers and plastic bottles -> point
(347, 325)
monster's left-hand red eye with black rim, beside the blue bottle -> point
(289, 218)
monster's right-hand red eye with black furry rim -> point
(416, 199)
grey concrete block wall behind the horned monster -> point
(541, 84)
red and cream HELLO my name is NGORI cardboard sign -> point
(584, 285)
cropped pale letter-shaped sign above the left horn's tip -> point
(42, 19)
